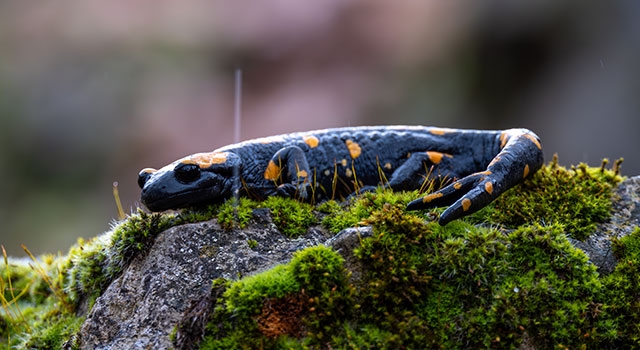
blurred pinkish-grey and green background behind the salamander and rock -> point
(93, 91)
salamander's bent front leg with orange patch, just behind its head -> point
(289, 170)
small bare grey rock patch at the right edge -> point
(625, 217)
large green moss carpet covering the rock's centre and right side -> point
(456, 286)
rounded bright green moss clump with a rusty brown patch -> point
(303, 298)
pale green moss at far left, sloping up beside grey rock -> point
(40, 298)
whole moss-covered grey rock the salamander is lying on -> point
(506, 275)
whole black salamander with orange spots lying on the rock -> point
(476, 166)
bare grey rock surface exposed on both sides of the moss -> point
(172, 281)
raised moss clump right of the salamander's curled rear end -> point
(577, 198)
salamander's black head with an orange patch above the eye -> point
(198, 178)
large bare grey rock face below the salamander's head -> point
(141, 307)
